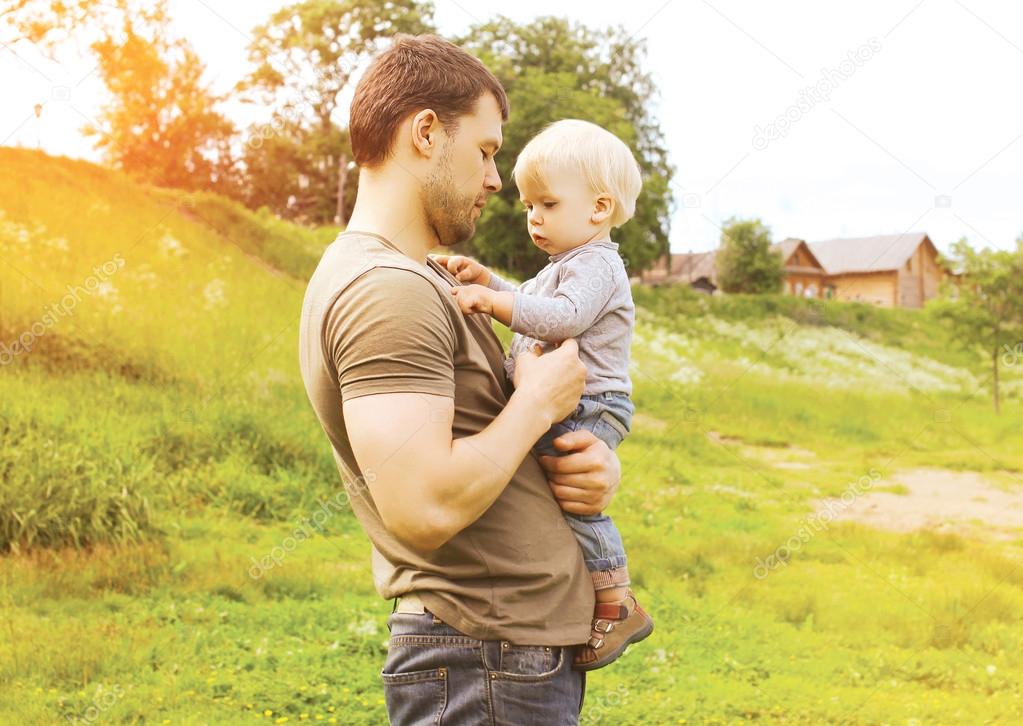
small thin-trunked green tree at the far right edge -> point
(986, 306)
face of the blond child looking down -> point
(561, 215)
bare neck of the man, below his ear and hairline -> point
(392, 209)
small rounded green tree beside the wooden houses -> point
(746, 262)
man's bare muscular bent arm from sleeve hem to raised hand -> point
(429, 487)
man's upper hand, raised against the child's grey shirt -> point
(554, 381)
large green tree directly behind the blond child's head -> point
(554, 69)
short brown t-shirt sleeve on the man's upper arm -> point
(389, 332)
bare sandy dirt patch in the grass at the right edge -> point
(961, 503)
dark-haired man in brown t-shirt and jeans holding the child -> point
(431, 439)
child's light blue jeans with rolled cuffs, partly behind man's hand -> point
(609, 417)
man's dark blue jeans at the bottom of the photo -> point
(435, 674)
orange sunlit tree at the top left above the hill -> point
(161, 124)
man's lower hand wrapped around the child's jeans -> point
(584, 482)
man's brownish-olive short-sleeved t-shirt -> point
(375, 322)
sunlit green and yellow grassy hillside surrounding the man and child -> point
(156, 419)
